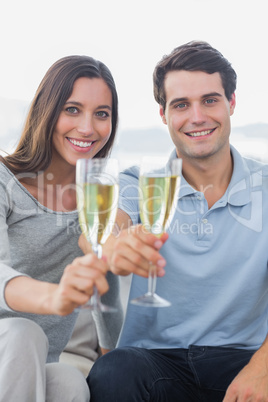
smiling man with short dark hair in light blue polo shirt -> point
(210, 344)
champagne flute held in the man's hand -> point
(159, 186)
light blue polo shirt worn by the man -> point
(216, 272)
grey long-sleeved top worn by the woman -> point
(38, 242)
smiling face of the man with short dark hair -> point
(197, 113)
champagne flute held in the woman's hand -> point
(97, 199)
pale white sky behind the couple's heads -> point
(131, 37)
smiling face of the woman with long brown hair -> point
(85, 122)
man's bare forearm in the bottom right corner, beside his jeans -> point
(251, 384)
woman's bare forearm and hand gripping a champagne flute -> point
(75, 288)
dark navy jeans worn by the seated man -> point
(197, 374)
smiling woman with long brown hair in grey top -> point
(44, 276)
